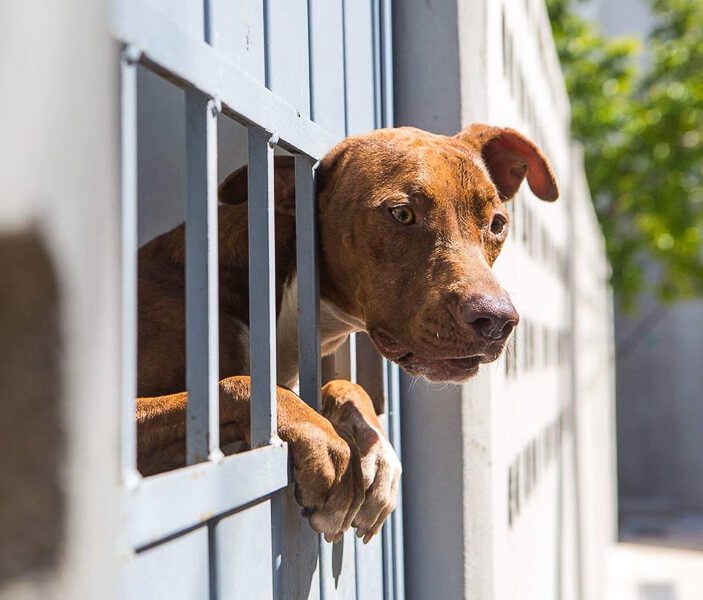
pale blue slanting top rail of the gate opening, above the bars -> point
(195, 63)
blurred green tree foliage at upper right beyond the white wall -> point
(642, 132)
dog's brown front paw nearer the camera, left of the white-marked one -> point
(328, 478)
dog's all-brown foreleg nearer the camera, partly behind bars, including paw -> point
(328, 477)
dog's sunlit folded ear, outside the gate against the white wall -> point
(509, 156)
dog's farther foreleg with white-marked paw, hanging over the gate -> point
(349, 408)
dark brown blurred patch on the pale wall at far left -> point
(32, 503)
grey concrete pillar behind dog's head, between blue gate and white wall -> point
(439, 514)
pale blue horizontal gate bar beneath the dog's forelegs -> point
(164, 505)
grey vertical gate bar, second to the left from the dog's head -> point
(262, 288)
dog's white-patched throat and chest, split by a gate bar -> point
(335, 327)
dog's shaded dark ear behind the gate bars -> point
(235, 188)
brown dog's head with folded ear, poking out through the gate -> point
(410, 225)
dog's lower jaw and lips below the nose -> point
(436, 369)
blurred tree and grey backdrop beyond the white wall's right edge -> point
(633, 69)
